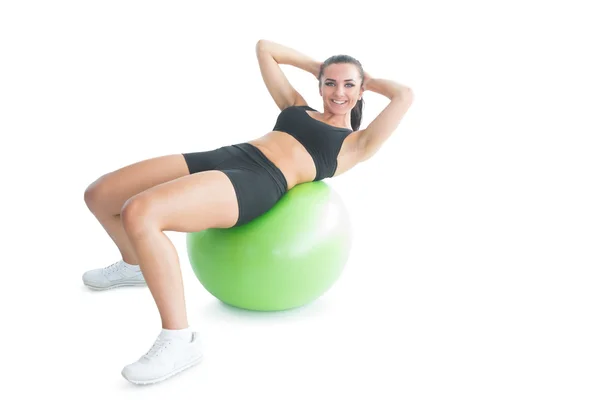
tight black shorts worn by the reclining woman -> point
(258, 183)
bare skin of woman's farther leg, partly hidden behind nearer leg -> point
(105, 197)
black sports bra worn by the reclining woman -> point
(322, 141)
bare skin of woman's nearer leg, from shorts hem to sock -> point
(187, 204)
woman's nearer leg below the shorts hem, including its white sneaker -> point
(187, 204)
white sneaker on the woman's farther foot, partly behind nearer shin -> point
(115, 275)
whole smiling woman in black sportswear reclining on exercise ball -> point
(230, 186)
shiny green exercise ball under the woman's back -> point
(285, 258)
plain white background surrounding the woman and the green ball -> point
(475, 267)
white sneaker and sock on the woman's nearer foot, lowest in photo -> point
(167, 357)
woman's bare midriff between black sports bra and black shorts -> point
(288, 155)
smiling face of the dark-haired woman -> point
(340, 83)
